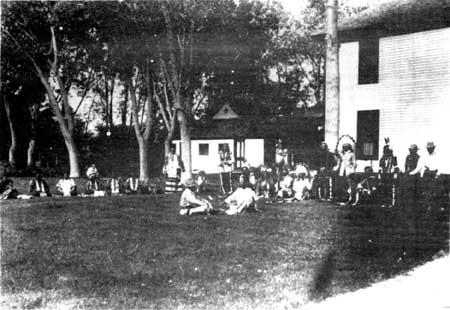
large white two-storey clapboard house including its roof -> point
(394, 63)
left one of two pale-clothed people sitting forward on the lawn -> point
(190, 203)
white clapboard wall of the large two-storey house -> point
(413, 93)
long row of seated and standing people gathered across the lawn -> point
(282, 182)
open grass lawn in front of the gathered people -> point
(138, 253)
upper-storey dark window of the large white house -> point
(368, 61)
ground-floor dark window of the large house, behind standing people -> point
(367, 135)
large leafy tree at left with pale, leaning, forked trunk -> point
(50, 36)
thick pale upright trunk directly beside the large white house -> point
(332, 76)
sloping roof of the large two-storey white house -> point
(396, 17)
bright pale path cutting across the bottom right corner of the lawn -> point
(425, 287)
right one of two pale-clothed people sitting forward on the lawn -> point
(242, 199)
